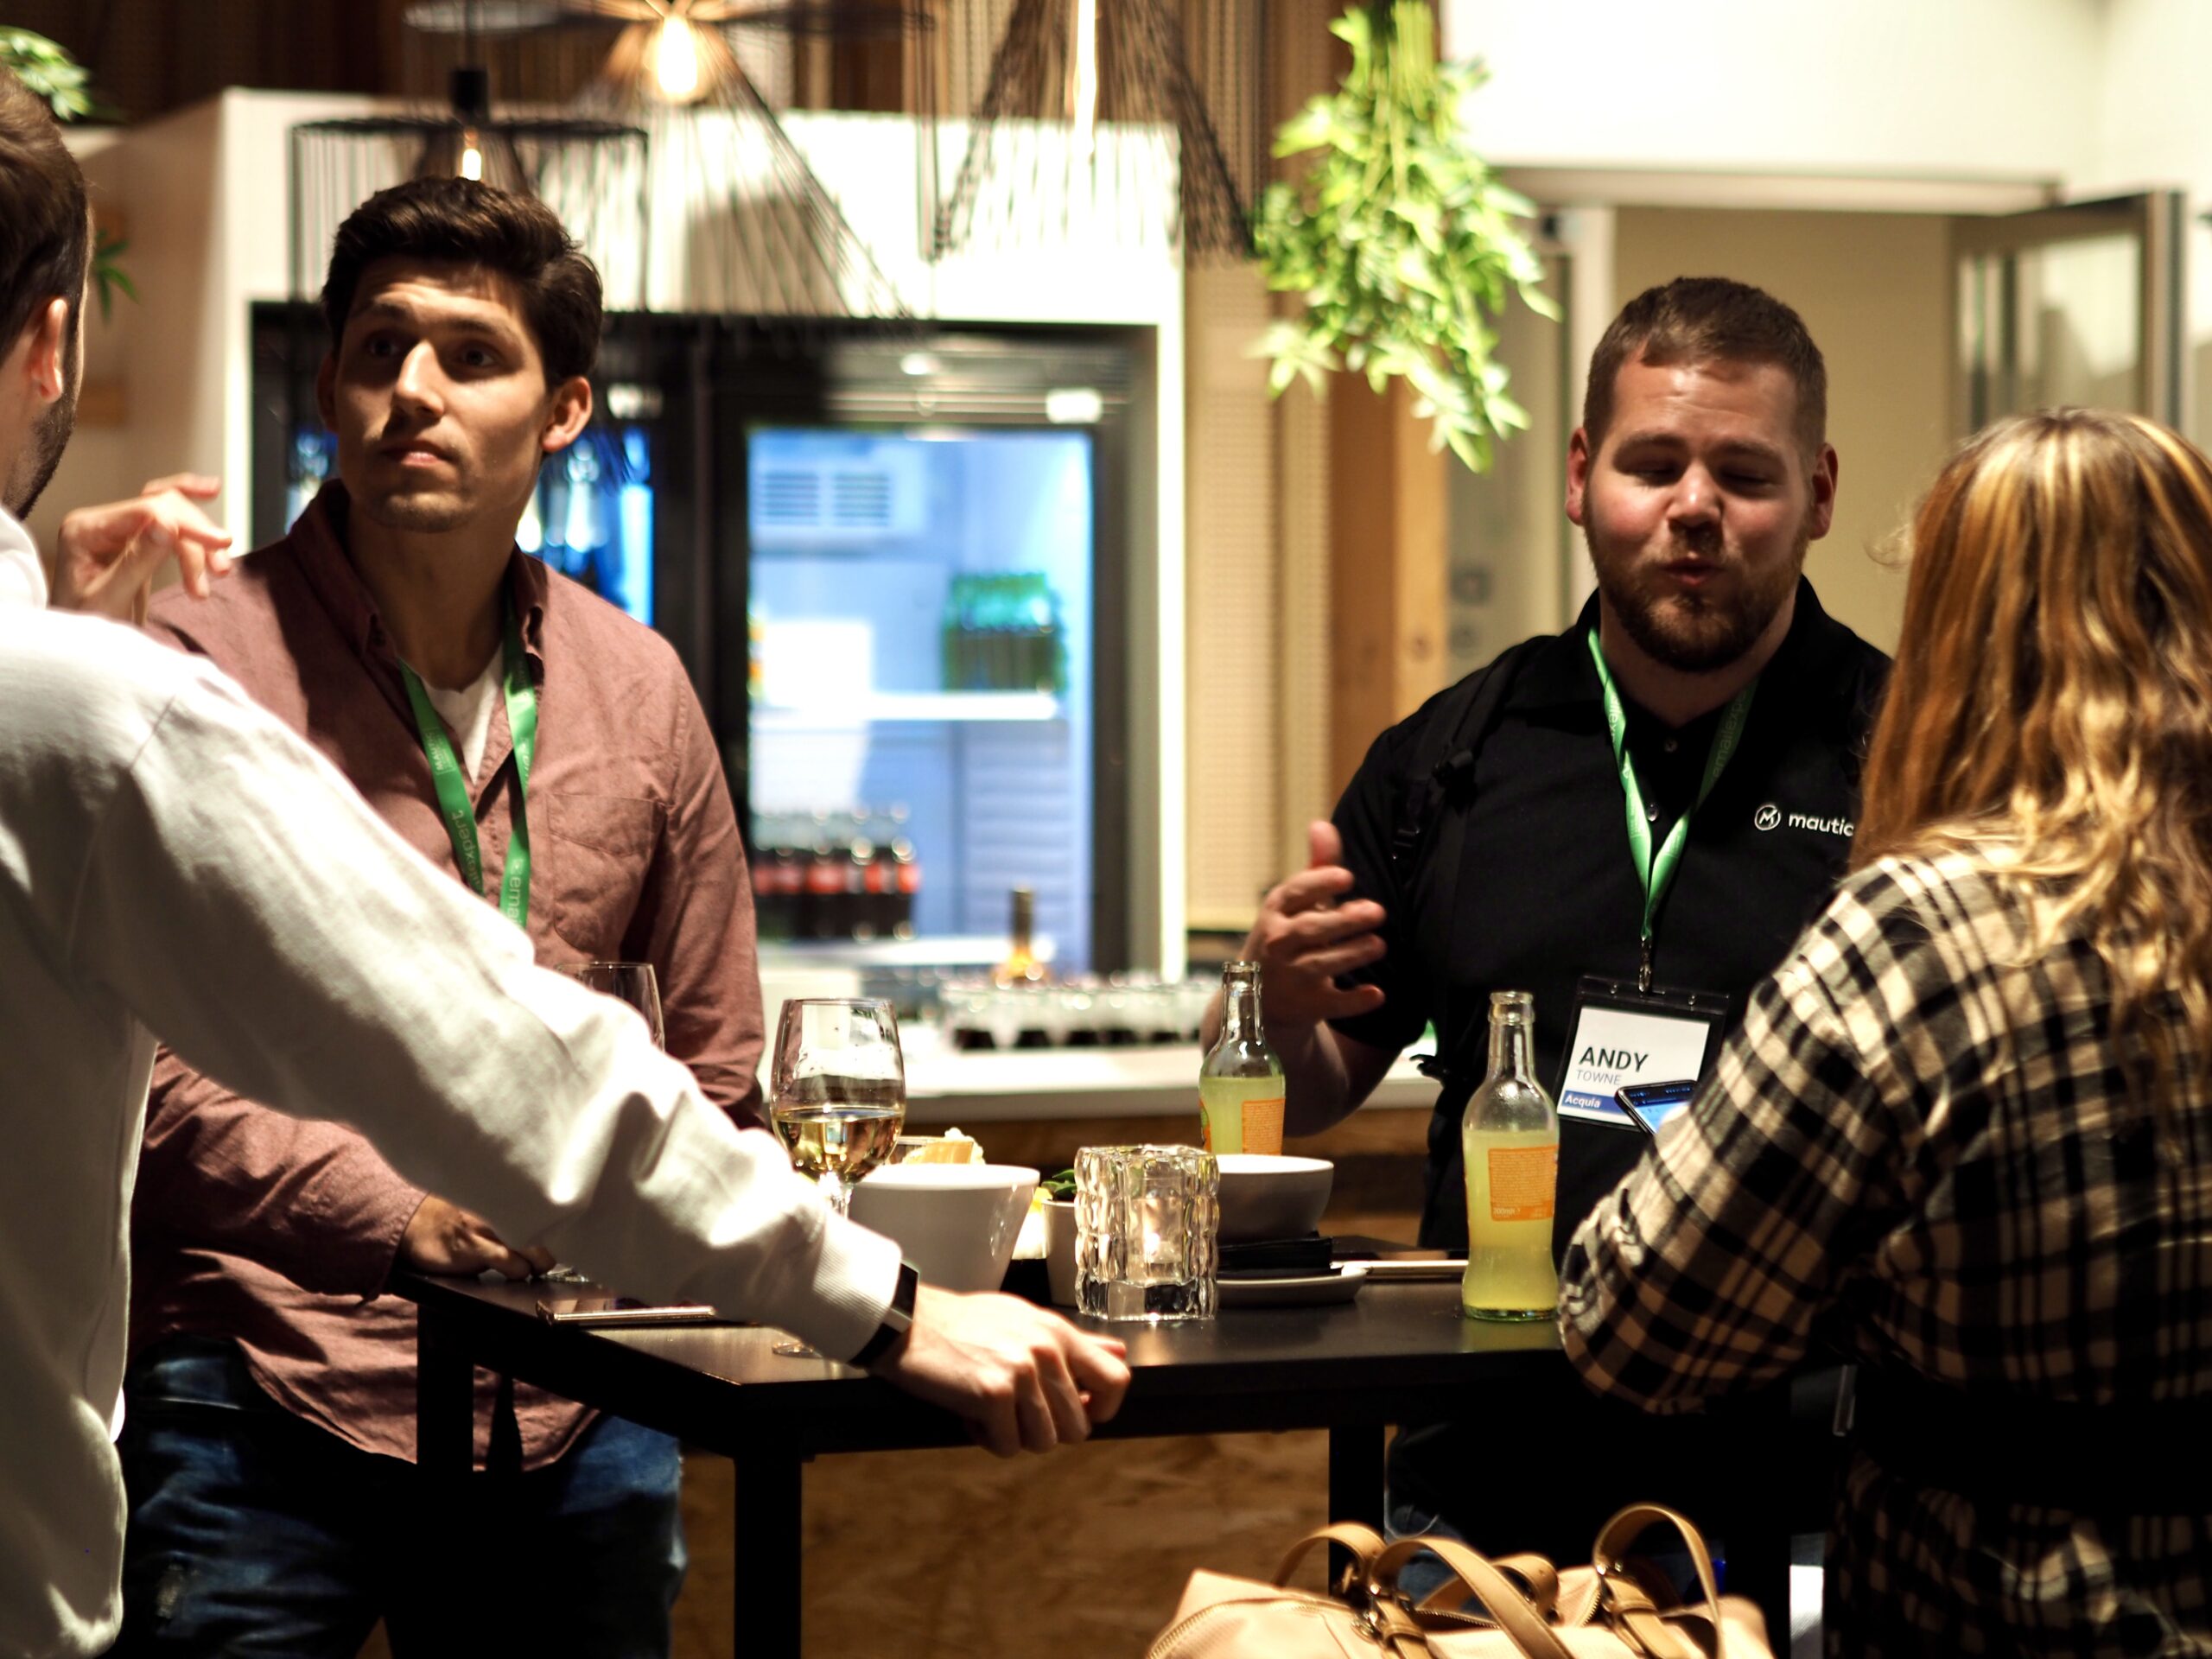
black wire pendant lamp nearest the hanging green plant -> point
(1089, 116)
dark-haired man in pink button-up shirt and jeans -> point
(463, 324)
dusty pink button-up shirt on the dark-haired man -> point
(282, 1233)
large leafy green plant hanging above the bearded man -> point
(1399, 238)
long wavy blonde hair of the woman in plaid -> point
(2052, 702)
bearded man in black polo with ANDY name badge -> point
(1631, 820)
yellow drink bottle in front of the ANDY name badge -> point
(1512, 1145)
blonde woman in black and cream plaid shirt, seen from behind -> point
(1968, 1131)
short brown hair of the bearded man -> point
(1709, 320)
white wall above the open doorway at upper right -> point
(1859, 87)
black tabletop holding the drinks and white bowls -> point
(1397, 1353)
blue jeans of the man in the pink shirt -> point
(260, 1534)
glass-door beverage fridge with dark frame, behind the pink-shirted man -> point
(897, 570)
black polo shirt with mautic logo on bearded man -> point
(1547, 890)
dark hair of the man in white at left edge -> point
(45, 216)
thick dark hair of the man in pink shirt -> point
(474, 225)
